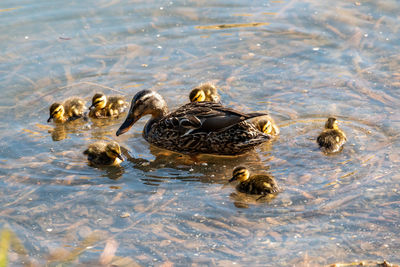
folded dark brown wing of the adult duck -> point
(208, 117)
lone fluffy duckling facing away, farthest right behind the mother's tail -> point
(332, 139)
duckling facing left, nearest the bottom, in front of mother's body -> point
(261, 184)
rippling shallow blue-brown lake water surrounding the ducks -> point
(301, 61)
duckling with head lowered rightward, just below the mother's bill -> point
(102, 153)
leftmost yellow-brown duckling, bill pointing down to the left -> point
(71, 109)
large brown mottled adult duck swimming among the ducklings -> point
(198, 127)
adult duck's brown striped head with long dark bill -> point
(143, 103)
